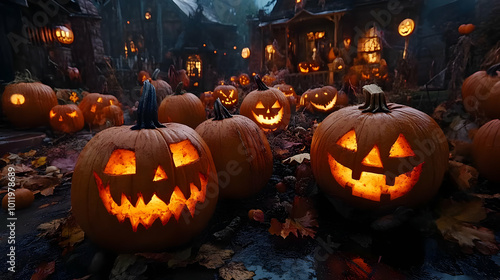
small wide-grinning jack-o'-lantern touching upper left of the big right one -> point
(320, 100)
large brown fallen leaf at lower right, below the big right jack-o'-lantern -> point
(458, 223)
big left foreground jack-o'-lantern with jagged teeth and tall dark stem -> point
(146, 187)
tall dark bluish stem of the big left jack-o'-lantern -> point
(147, 112)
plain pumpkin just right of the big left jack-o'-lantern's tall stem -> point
(182, 107)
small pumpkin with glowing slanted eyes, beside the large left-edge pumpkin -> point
(66, 118)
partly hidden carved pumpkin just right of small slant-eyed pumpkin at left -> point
(92, 105)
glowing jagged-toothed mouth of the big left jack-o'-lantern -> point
(146, 213)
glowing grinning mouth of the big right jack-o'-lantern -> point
(373, 186)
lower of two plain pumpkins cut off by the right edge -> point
(486, 150)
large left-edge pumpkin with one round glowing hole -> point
(27, 105)
